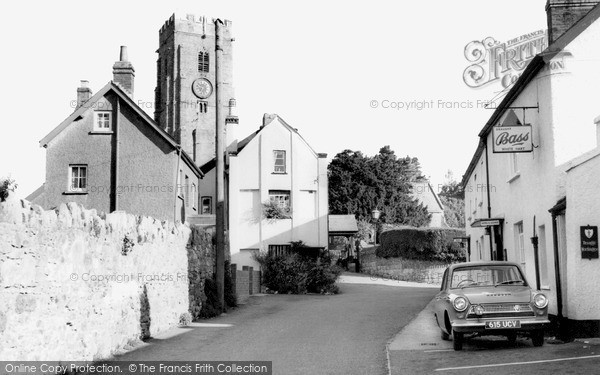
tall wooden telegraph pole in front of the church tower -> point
(220, 169)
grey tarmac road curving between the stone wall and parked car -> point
(302, 334)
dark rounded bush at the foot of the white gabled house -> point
(296, 273)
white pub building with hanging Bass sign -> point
(532, 189)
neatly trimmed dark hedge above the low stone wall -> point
(429, 244)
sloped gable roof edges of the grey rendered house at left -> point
(111, 86)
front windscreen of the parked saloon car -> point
(475, 276)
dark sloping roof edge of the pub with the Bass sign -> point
(530, 72)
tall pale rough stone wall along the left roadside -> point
(78, 285)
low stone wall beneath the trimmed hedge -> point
(401, 269)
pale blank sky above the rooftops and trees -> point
(349, 75)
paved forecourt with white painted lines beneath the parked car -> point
(418, 349)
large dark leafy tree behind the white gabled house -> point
(358, 184)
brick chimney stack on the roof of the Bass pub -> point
(563, 14)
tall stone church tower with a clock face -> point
(186, 86)
